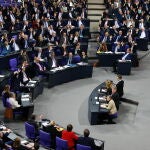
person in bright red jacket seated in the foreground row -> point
(70, 136)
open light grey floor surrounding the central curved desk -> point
(68, 103)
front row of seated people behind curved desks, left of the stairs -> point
(40, 63)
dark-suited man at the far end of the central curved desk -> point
(120, 86)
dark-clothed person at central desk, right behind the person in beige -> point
(115, 96)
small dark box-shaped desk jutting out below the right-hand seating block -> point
(124, 67)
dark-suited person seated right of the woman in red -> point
(86, 140)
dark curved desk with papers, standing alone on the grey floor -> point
(94, 109)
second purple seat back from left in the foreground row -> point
(45, 139)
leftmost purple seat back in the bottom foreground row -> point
(30, 131)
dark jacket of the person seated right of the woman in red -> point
(87, 141)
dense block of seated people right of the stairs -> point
(124, 22)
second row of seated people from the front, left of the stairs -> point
(22, 41)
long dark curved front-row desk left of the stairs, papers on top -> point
(70, 73)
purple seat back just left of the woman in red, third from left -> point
(61, 144)
